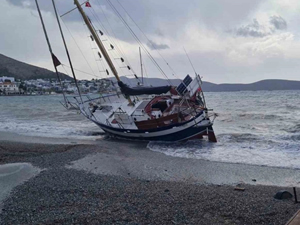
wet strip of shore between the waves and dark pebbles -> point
(119, 151)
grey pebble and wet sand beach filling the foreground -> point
(120, 182)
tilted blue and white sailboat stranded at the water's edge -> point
(164, 113)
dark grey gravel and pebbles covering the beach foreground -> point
(66, 196)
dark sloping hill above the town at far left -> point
(13, 68)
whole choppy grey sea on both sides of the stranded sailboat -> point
(252, 127)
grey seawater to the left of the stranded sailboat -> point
(43, 116)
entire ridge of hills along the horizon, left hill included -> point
(20, 70)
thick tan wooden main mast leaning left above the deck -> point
(100, 45)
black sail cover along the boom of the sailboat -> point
(143, 90)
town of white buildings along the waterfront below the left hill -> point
(12, 86)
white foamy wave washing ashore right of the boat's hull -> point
(254, 152)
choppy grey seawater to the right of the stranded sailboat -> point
(253, 127)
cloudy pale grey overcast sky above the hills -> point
(228, 41)
